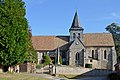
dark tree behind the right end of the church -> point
(115, 30)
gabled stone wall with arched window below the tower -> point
(75, 48)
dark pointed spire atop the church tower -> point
(76, 23)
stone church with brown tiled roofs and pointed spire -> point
(79, 48)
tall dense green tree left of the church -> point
(14, 33)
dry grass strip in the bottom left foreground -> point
(20, 76)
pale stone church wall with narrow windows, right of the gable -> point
(100, 60)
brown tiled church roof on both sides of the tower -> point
(52, 42)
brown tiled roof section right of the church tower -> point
(98, 39)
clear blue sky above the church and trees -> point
(54, 17)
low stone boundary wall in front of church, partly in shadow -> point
(81, 71)
